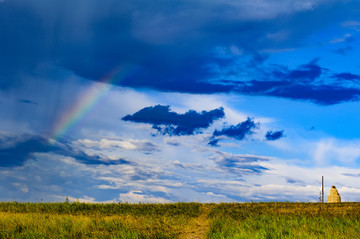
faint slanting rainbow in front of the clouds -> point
(86, 102)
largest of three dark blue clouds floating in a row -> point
(172, 123)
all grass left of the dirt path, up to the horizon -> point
(102, 221)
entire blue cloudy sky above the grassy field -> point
(179, 101)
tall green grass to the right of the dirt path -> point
(285, 220)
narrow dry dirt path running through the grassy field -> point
(198, 227)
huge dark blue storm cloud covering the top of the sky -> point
(170, 45)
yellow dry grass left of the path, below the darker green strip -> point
(35, 225)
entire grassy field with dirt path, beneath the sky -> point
(179, 220)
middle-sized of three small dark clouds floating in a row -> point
(239, 131)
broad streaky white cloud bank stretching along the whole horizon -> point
(179, 180)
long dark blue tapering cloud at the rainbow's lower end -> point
(22, 148)
